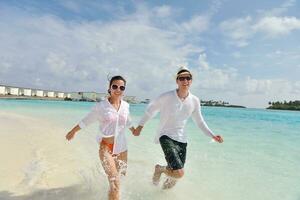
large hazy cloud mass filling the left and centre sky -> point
(78, 55)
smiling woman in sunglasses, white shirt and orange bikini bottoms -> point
(113, 117)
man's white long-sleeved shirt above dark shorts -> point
(174, 114)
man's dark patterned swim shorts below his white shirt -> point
(175, 152)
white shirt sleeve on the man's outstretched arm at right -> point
(198, 119)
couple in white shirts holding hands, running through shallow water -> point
(175, 108)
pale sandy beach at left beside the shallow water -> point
(34, 155)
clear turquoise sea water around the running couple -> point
(259, 159)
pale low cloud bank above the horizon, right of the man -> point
(228, 85)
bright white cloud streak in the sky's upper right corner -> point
(271, 22)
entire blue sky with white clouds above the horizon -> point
(242, 52)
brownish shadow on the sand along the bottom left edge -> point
(67, 193)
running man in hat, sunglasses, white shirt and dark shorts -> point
(175, 108)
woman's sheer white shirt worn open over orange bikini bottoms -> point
(112, 122)
